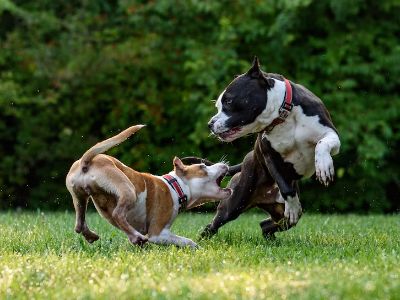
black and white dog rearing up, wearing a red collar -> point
(296, 138)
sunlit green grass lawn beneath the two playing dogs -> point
(334, 257)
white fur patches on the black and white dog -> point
(301, 140)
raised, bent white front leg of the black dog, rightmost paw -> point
(327, 146)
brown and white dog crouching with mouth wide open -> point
(140, 204)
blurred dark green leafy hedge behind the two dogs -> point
(75, 72)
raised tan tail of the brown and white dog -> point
(107, 144)
